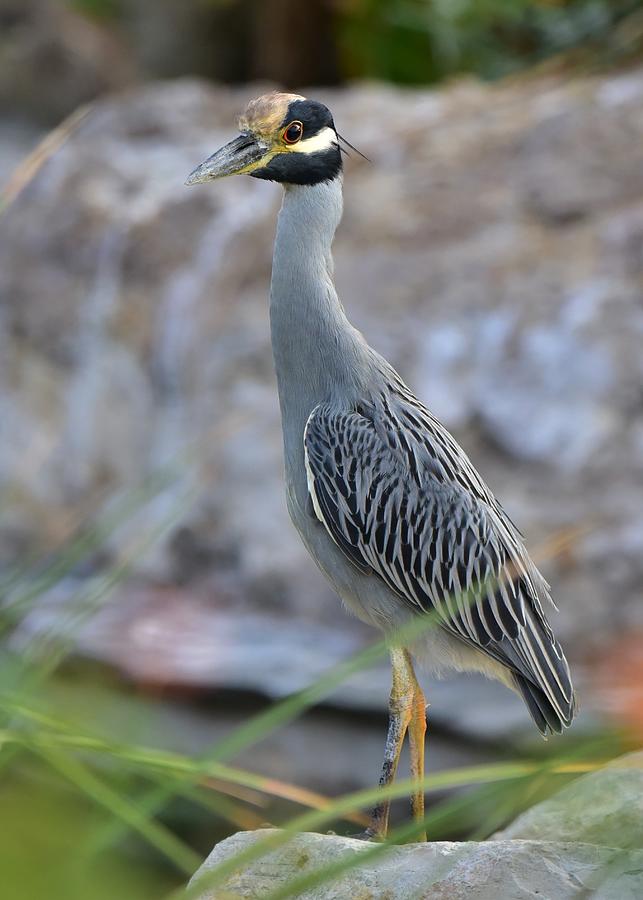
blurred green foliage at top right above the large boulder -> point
(424, 41)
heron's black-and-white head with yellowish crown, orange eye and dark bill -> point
(284, 137)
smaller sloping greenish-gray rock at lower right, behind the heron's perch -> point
(604, 807)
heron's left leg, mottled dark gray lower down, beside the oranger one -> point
(401, 701)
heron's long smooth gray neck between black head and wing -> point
(316, 349)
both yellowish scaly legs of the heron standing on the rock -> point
(405, 703)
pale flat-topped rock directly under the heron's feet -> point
(520, 870)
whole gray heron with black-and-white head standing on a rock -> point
(385, 500)
